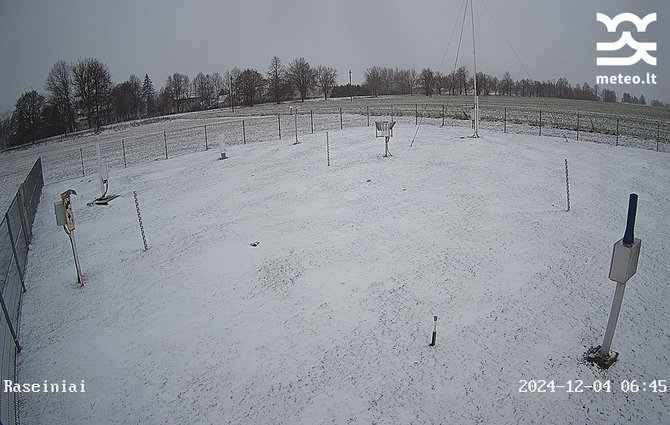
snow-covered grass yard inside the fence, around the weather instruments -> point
(328, 318)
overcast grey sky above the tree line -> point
(554, 38)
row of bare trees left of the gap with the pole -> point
(82, 95)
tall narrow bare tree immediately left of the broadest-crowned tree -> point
(59, 86)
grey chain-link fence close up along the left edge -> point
(15, 235)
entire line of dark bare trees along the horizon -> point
(82, 95)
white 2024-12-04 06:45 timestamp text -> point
(596, 386)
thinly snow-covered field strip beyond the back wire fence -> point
(142, 141)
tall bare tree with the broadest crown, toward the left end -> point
(92, 87)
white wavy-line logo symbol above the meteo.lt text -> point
(641, 49)
